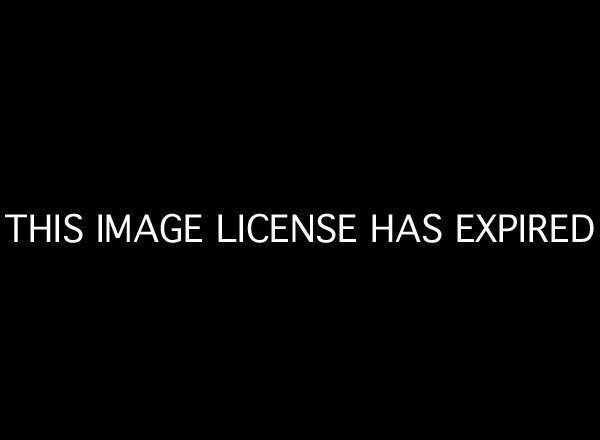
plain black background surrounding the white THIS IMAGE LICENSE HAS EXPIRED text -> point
(368, 113)
